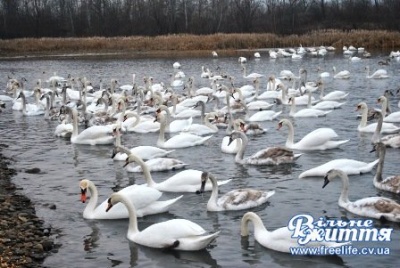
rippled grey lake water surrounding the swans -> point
(95, 243)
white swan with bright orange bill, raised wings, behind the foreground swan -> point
(144, 198)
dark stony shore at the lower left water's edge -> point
(25, 241)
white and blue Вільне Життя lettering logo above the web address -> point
(305, 229)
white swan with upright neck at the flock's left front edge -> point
(93, 135)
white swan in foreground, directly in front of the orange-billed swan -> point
(177, 234)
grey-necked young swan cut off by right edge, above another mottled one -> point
(391, 183)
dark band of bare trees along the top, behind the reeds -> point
(110, 18)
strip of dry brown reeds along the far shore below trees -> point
(225, 44)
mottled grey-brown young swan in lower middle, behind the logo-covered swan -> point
(233, 200)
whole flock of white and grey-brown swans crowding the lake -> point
(107, 114)
